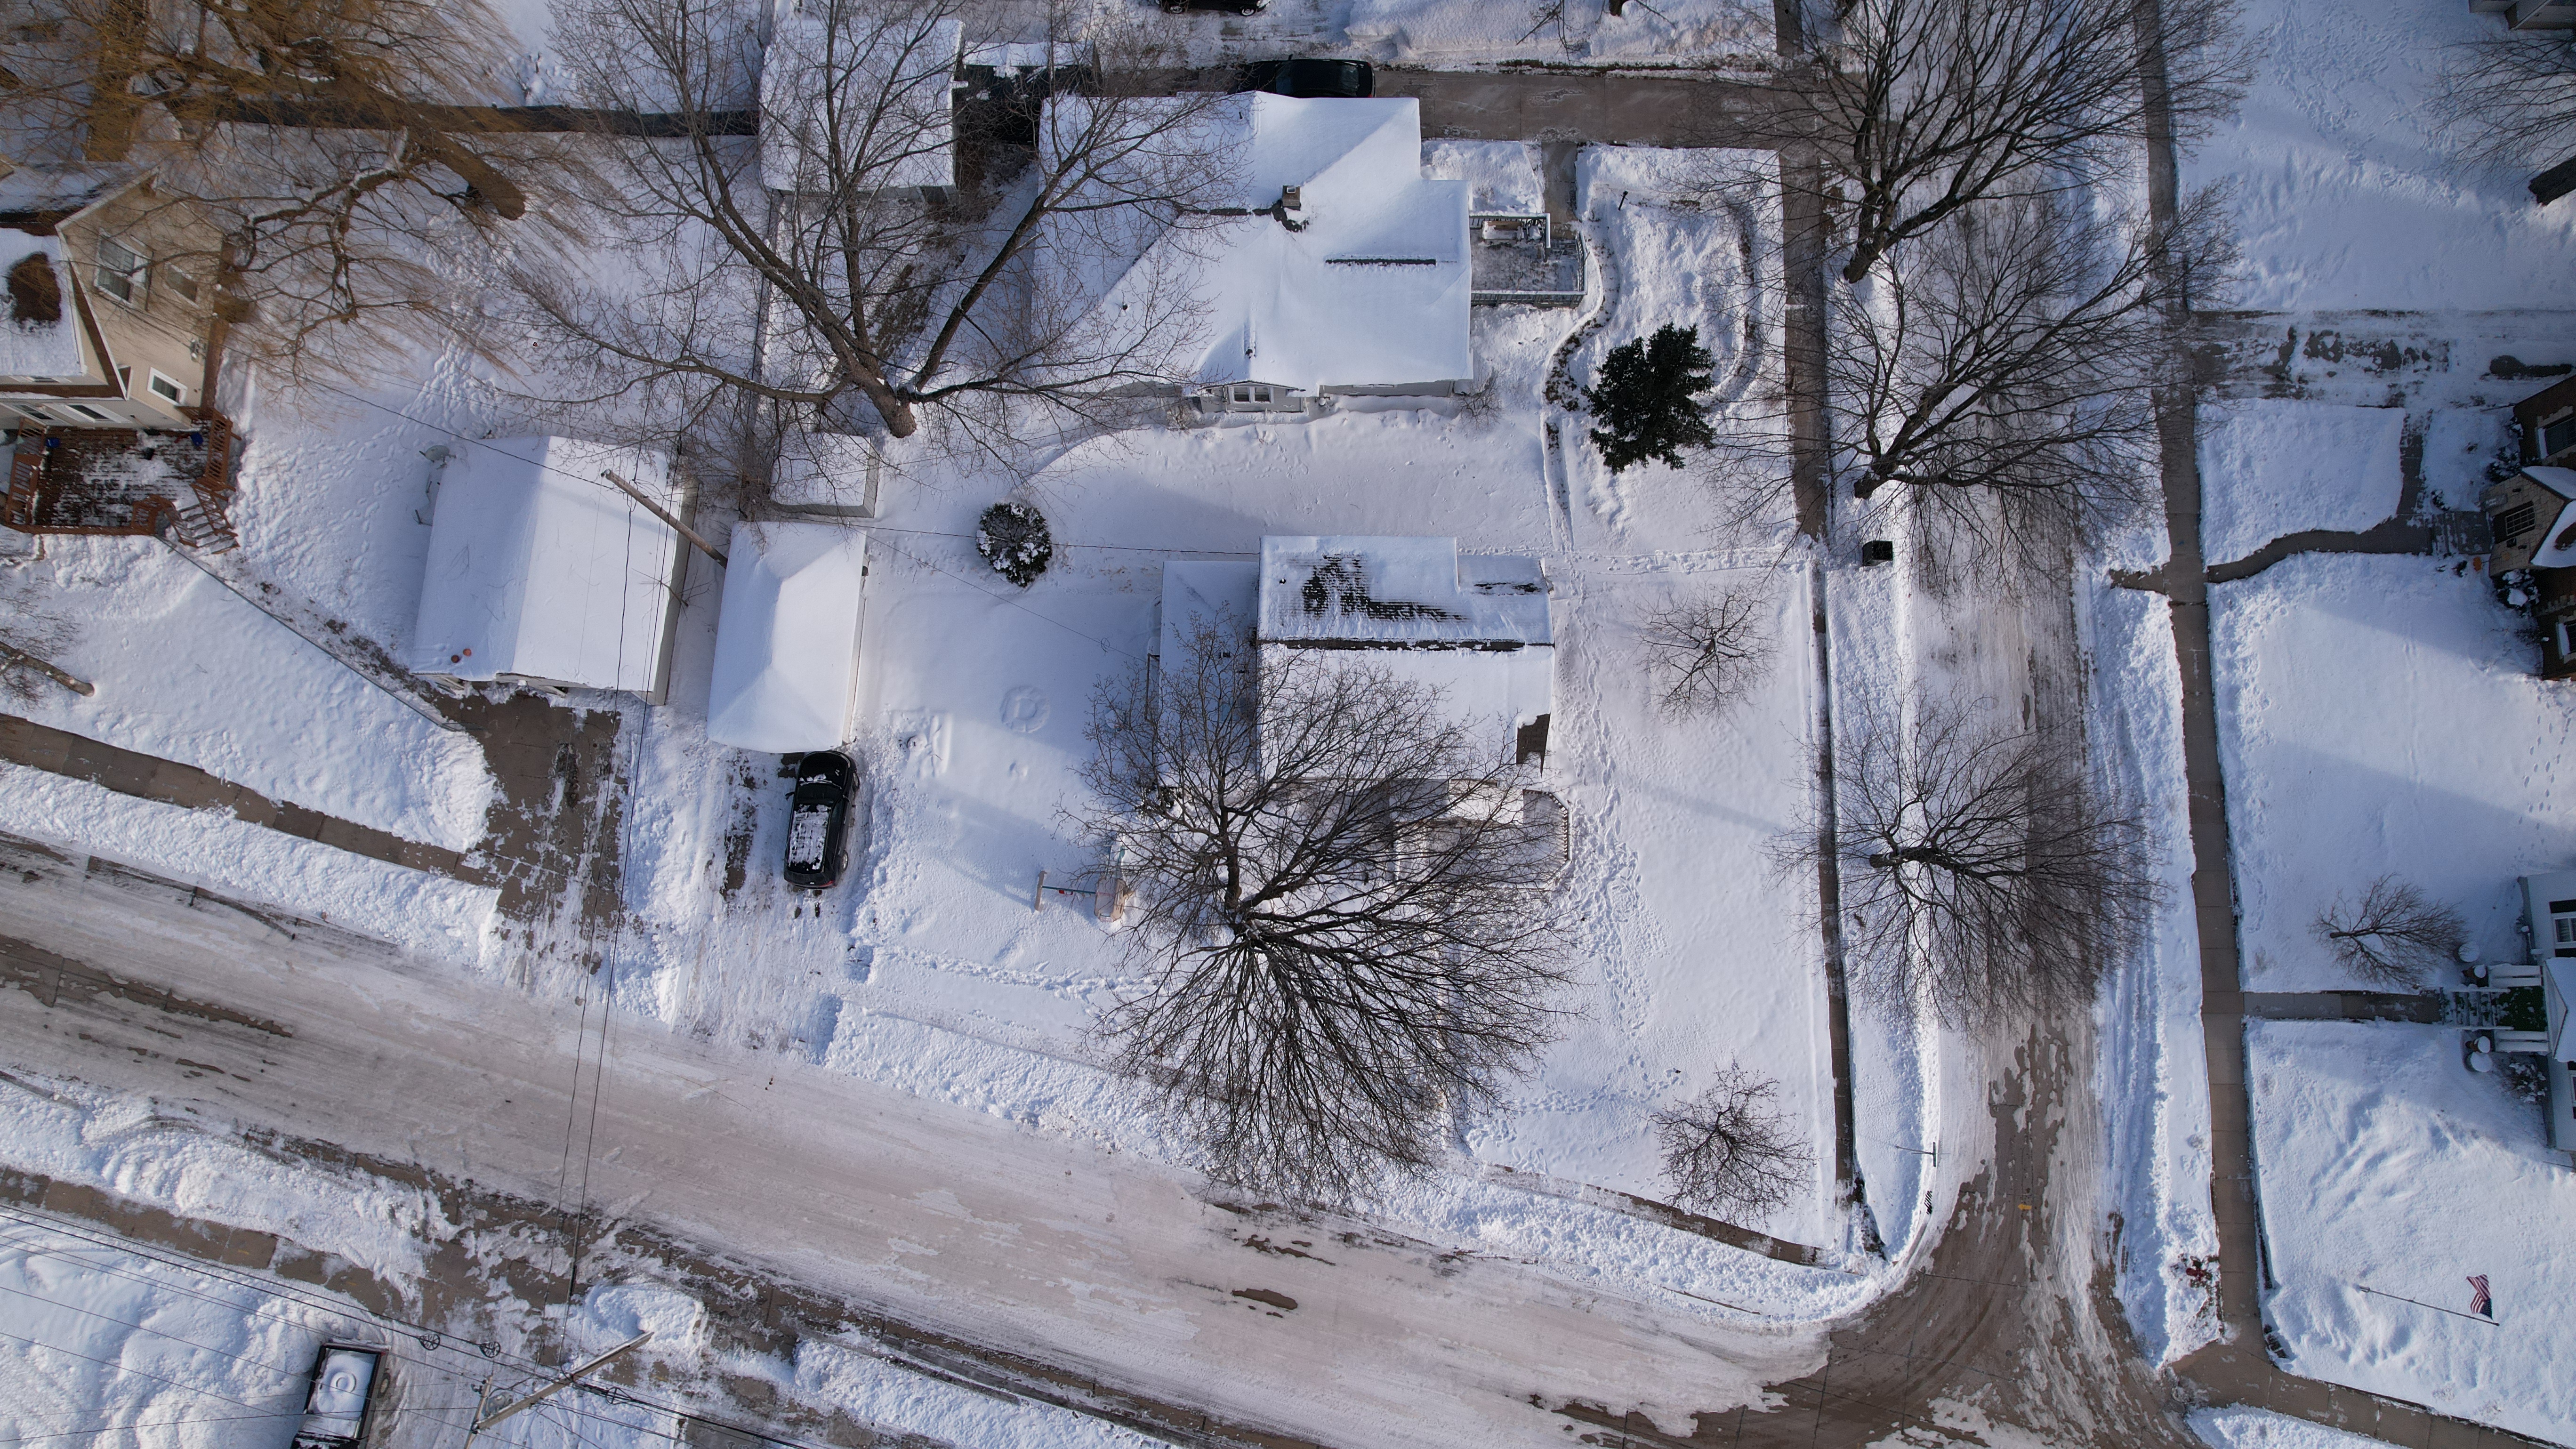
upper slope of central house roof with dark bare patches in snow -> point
(1400, 594)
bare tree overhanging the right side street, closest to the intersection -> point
(1980, 868)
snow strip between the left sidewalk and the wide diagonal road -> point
(413, 909)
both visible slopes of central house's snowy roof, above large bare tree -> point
(1475, 628)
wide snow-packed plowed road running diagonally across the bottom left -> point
(936, 1216)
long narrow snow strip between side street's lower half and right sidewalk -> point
(2152, 1071)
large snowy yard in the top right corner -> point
(2343, 192)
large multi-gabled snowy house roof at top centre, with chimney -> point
(1364, 282)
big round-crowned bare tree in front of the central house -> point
(1341, 911)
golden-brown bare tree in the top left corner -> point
(339, 153)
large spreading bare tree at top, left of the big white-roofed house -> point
(833, 262)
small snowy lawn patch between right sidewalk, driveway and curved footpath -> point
(2281, 468)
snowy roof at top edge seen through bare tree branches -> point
(880, 94)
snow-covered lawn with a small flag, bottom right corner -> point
(2389, 1167)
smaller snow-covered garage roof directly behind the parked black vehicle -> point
(787, 641)
